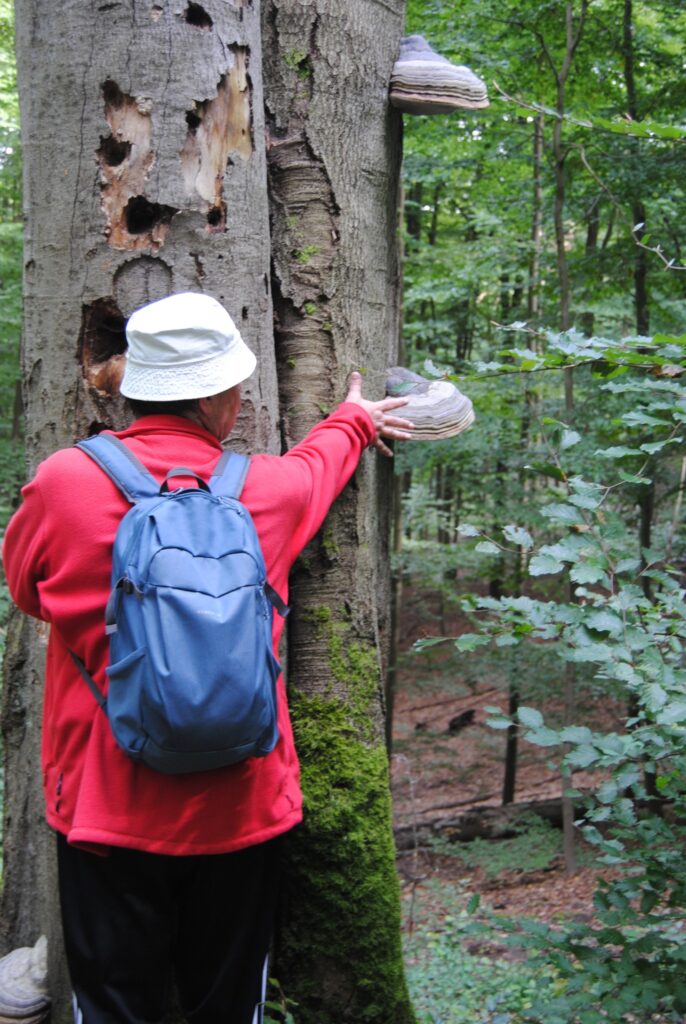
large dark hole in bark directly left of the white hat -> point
(103, 345)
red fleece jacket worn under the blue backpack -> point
(58, 557)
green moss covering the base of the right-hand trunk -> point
(341, 865)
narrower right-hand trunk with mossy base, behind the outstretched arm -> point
(333, 164)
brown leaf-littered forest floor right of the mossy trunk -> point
(438, 777)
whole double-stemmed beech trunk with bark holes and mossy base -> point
(153, 166)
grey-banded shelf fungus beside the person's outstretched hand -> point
(437, 408)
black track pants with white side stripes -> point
(134, 920)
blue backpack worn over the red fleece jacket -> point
(193, 674)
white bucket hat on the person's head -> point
(185, 347)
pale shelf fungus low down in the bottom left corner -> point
(24, 994)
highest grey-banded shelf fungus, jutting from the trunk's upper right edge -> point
(425, 82)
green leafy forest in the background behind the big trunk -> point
(544, 272)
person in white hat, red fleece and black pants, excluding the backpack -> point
(165, 876)
